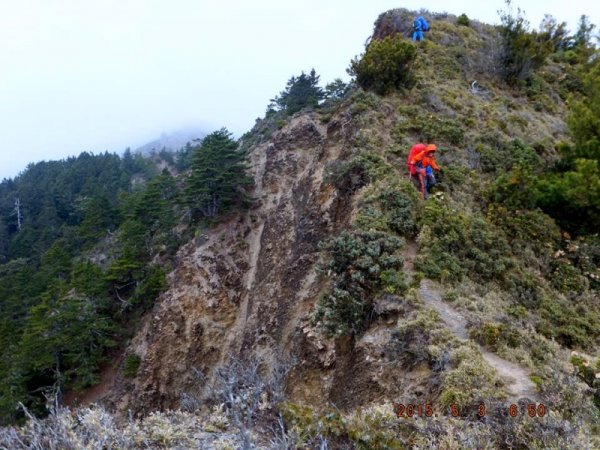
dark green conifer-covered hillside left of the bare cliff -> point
(86, 245)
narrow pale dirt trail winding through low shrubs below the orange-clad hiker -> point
(516, 378)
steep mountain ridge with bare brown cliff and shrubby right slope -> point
(340, 296)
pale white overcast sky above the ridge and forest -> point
(96, 75)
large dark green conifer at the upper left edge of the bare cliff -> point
(218, 178)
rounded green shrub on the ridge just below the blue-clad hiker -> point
(386, 65)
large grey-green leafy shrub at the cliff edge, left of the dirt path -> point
(361, 264)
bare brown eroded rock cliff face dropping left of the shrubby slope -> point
(246, 288)
